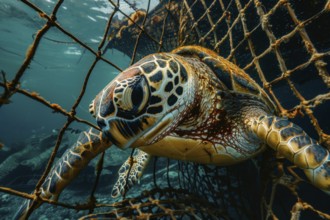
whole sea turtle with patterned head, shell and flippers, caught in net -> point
(192, 105)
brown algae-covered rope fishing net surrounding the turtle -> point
(284, 45)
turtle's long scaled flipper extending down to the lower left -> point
(88, 145)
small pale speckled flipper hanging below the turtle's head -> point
(130, 172)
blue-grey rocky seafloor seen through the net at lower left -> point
(22, 164)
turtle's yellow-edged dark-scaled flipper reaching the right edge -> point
(293, 143)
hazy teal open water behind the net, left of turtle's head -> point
(58, 69)
